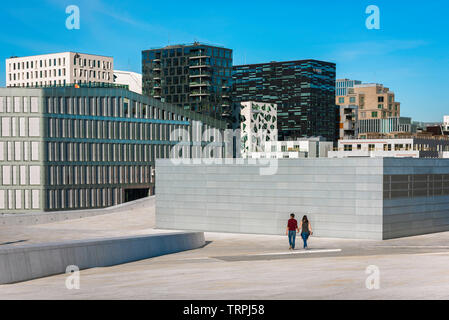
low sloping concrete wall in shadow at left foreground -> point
(35, 261)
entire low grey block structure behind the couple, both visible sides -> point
(369, 198)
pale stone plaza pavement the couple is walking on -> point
(236, 266)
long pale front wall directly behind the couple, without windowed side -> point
(343, 197)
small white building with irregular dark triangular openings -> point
(258, 125)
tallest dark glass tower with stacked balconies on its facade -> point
(194, 77)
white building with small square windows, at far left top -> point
(58, 69)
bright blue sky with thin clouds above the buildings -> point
(409, 54)
